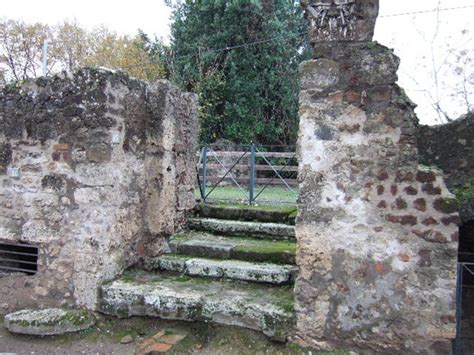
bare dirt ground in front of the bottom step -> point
(105, 338)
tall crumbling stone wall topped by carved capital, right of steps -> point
(377, 233)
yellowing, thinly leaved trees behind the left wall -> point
(70, 47)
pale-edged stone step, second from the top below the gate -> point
(244, 229)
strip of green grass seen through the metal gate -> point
(232, 194)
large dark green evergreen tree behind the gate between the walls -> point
(249, 93)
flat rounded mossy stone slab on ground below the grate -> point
(51, 321)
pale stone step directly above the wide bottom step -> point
(231, 269)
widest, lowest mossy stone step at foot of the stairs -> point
(253, 306)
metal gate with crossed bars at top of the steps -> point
(258, 174)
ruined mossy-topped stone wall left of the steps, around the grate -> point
(105, 171)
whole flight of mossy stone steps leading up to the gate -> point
(235, 266)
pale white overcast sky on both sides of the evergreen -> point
(410, 35)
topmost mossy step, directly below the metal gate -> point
(262, 213)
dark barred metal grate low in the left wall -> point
(18, 258)
